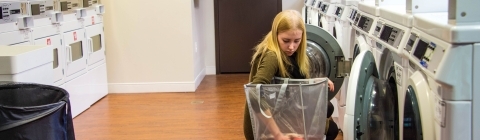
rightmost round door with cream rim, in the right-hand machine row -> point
(418, 122)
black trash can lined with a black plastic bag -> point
(34, 112)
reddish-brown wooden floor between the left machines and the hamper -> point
(213, 112)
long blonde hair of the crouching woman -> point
(284, 21)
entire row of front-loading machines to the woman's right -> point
(406, 69)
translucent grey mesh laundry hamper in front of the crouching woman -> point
(297, 106)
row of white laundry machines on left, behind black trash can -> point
(73, 32)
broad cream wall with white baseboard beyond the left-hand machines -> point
(150, 46)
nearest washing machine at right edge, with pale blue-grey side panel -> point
(446, 51)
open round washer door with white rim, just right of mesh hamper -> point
(376, 107)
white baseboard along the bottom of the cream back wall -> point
(152, 87)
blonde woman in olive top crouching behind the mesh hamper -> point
(282, 53)
